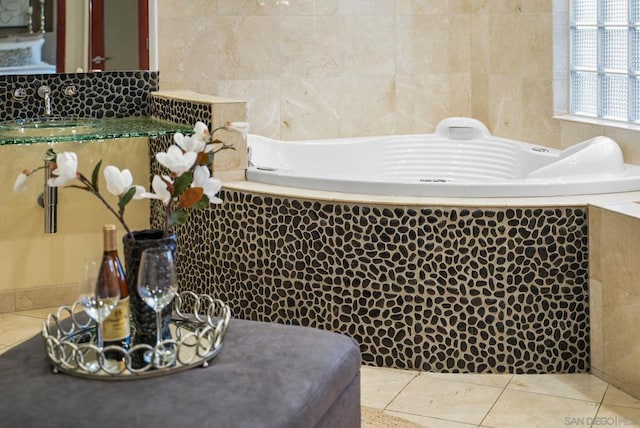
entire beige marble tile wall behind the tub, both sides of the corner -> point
(327, 68)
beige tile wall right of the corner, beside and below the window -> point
(513, 75)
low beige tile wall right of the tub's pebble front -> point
(615, 297)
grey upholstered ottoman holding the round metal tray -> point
(267, 375)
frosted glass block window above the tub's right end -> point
(605, 59)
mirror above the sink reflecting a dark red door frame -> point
(68, 36)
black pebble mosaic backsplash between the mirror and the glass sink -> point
(107, 94)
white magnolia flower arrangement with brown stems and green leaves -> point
(187, 184)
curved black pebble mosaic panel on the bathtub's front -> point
(433, 289)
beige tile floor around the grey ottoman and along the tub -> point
(454, 400)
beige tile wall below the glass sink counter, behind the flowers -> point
(41, 270)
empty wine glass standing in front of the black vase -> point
(157, 286)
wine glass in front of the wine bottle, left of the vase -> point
(99, 295)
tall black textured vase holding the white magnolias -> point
(143, 318)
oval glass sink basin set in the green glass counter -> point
(48, 127)
